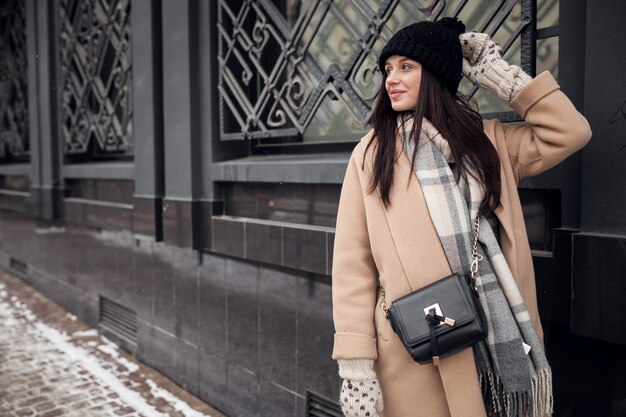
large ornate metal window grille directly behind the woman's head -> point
(297, 68)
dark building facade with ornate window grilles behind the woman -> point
(170, 173)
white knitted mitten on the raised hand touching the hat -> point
(483, 65)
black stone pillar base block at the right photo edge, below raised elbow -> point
(598, 284)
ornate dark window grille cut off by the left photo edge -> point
(14, 144)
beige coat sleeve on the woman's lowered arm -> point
(354, 274)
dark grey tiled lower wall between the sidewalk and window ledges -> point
(247, 338)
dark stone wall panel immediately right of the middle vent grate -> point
(156, 348)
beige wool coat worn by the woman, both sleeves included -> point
(399, 248)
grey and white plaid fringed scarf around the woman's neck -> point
(514, 382)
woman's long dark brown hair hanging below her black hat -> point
(456, 121)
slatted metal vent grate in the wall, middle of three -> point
(119, 321)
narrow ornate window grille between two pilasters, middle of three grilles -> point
(96, 68)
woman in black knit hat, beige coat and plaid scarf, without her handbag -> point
(413, 187)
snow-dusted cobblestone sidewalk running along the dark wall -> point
(52, 364)
